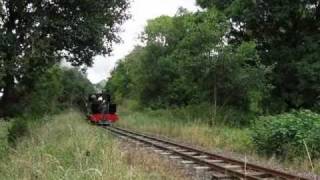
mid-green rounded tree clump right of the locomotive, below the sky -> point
(186, 61)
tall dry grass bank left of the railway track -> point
(67, 147)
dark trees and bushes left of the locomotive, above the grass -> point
(38, 39)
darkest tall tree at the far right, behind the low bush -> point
(287, 34)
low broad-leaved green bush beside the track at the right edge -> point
(286, 135)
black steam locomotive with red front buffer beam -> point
(101, 109)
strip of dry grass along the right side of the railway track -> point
(235, 142)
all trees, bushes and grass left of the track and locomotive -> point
(38, 39)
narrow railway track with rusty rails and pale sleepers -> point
(219, 167)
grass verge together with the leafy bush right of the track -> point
(283, 138)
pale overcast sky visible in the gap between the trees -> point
(141, 11)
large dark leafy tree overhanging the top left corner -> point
(36, 34)
